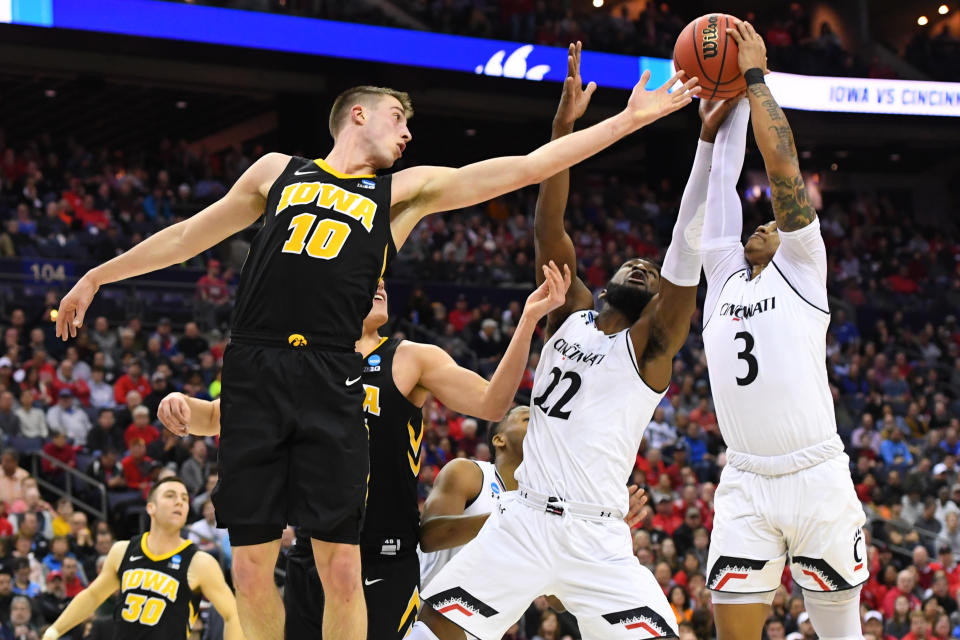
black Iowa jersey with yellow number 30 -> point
(156, 602)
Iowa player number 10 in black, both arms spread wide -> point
(291, 405)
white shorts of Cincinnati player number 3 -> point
(811, 517)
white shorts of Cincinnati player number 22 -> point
(525, 552)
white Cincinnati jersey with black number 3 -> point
(765, 340)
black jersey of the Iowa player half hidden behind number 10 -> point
(392, 521)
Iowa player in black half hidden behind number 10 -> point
(397, 377)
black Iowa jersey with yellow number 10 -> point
(313, 267)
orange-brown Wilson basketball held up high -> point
(706, 51)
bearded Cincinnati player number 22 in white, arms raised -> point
(601, 374)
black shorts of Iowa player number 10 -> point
(293, 444)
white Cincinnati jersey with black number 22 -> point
(589, 409)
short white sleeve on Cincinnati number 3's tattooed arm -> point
(802, 260)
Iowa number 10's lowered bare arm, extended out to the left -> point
(237, 210)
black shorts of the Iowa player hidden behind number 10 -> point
(391, 587)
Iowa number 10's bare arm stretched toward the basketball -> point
(420, 191)
